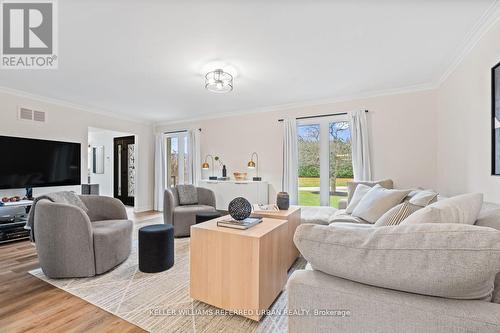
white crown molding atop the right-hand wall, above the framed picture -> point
(489, 18)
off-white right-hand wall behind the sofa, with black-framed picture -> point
(464, 123)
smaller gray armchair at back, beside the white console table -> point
(182, 217)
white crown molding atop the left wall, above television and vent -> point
(63, 103)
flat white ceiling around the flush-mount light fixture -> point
(147, 59)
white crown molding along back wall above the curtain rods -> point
(310, 103)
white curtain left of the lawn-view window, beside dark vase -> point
(290, 159)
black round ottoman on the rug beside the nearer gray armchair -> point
(156, 248)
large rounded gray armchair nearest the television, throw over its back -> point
(71, 243)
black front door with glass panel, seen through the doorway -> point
(124, 169)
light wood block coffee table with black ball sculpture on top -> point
(239, 270)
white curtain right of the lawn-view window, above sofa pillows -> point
(361, 160)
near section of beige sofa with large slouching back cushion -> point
(430, 277)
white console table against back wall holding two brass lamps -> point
(226, 190)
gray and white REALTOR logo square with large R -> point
(29, 34)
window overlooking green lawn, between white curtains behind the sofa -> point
(325, 163)
